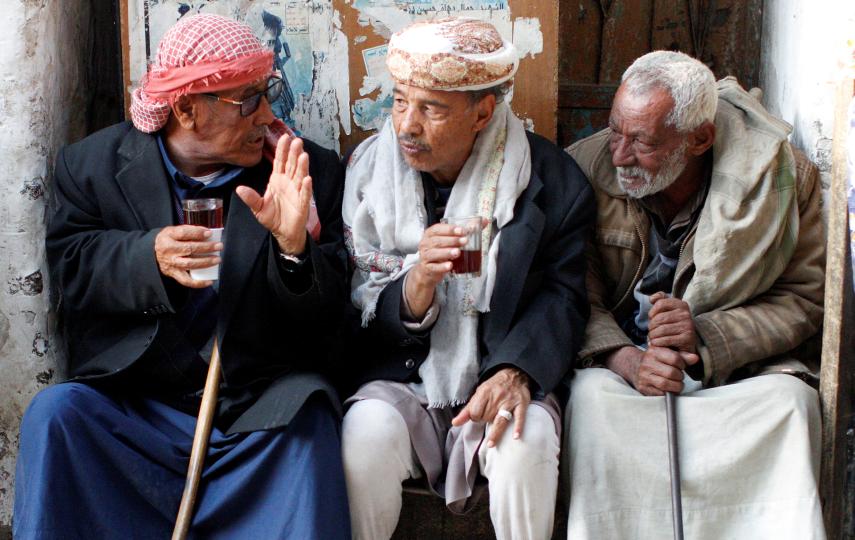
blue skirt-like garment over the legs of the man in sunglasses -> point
(95, 466)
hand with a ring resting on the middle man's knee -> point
(506, 389)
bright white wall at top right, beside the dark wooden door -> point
(802, 43)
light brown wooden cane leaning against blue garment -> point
(200, 447)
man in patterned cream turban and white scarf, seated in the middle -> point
(460, 374)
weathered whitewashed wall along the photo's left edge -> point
(42, 106)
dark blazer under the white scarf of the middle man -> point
(539, 306)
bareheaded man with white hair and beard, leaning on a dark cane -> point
(705, 272)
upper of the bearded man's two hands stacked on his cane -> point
(671, 324)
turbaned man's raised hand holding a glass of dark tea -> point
(440, 244)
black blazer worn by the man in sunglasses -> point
(112, 197)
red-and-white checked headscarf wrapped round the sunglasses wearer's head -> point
(202, 53)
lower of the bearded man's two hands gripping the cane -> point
(652, 372)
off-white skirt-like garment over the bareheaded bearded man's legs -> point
(749, 460)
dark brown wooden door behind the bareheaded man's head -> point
(599, 39)
